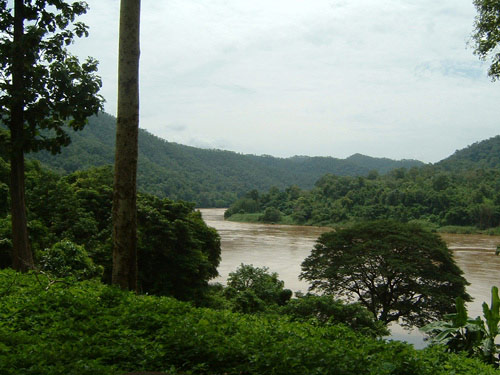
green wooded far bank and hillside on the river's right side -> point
(453, 193)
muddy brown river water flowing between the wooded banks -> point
(282, 248)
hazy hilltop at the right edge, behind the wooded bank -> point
(484, 154)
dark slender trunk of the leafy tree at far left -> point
(22, 257)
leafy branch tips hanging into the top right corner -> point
(487, 34)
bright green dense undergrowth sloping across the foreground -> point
(70, 327)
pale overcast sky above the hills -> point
(385, 78)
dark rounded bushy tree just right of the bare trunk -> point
(178, 252)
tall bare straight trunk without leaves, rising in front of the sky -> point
(127, 129)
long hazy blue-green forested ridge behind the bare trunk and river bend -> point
(207, 177)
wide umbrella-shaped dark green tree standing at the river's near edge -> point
(397, 271)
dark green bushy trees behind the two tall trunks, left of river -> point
(70, 221)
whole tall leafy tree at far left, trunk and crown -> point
(43, 89)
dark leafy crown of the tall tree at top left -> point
(59, 92)
